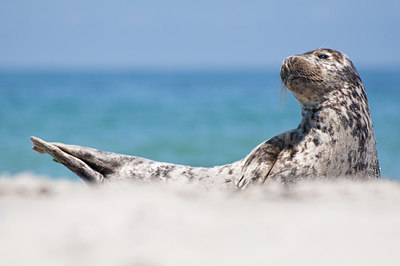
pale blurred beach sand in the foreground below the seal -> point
(60, 222)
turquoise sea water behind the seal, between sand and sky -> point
(200, 118)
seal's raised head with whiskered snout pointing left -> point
(313, 75)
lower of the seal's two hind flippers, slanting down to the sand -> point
(73, 163)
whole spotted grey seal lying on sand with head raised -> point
(335, 137)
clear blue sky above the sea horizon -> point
(92, 34)
